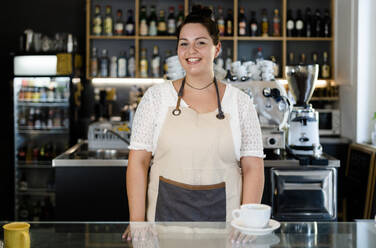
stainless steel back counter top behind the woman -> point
(79, 156)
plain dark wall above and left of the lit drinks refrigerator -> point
(43, 16)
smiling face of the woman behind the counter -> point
(196, 50)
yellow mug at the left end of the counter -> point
(16, 235)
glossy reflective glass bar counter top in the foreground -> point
(200, 234)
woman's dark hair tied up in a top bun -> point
(201, 15)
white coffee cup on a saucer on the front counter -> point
(252, 215)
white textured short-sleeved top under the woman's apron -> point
(152, 110)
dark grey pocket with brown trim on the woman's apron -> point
(183, 202)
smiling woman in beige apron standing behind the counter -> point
(205, 139)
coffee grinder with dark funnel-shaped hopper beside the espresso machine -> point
(303, 133)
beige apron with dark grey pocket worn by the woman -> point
(195, 175)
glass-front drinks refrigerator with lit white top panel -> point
(41, 110)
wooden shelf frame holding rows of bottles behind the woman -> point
(284, 46)
